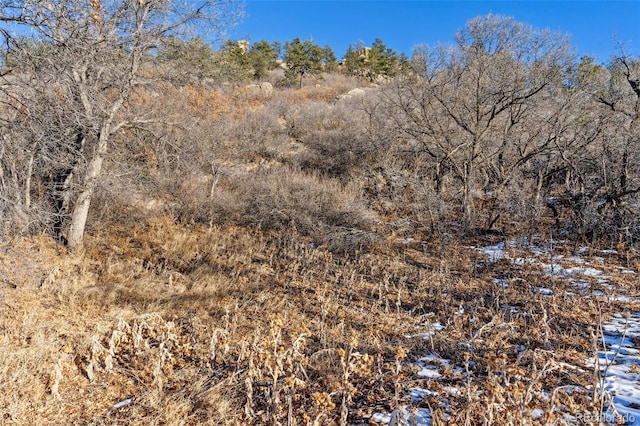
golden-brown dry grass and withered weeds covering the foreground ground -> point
(233, 325)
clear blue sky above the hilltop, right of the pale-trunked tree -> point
(402, 24)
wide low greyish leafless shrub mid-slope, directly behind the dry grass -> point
(281, 199)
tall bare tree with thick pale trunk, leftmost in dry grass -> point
(70, 82)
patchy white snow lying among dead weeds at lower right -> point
(619, 357)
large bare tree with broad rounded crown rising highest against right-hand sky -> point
(468, 103)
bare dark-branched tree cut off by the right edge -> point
(611, 178)
